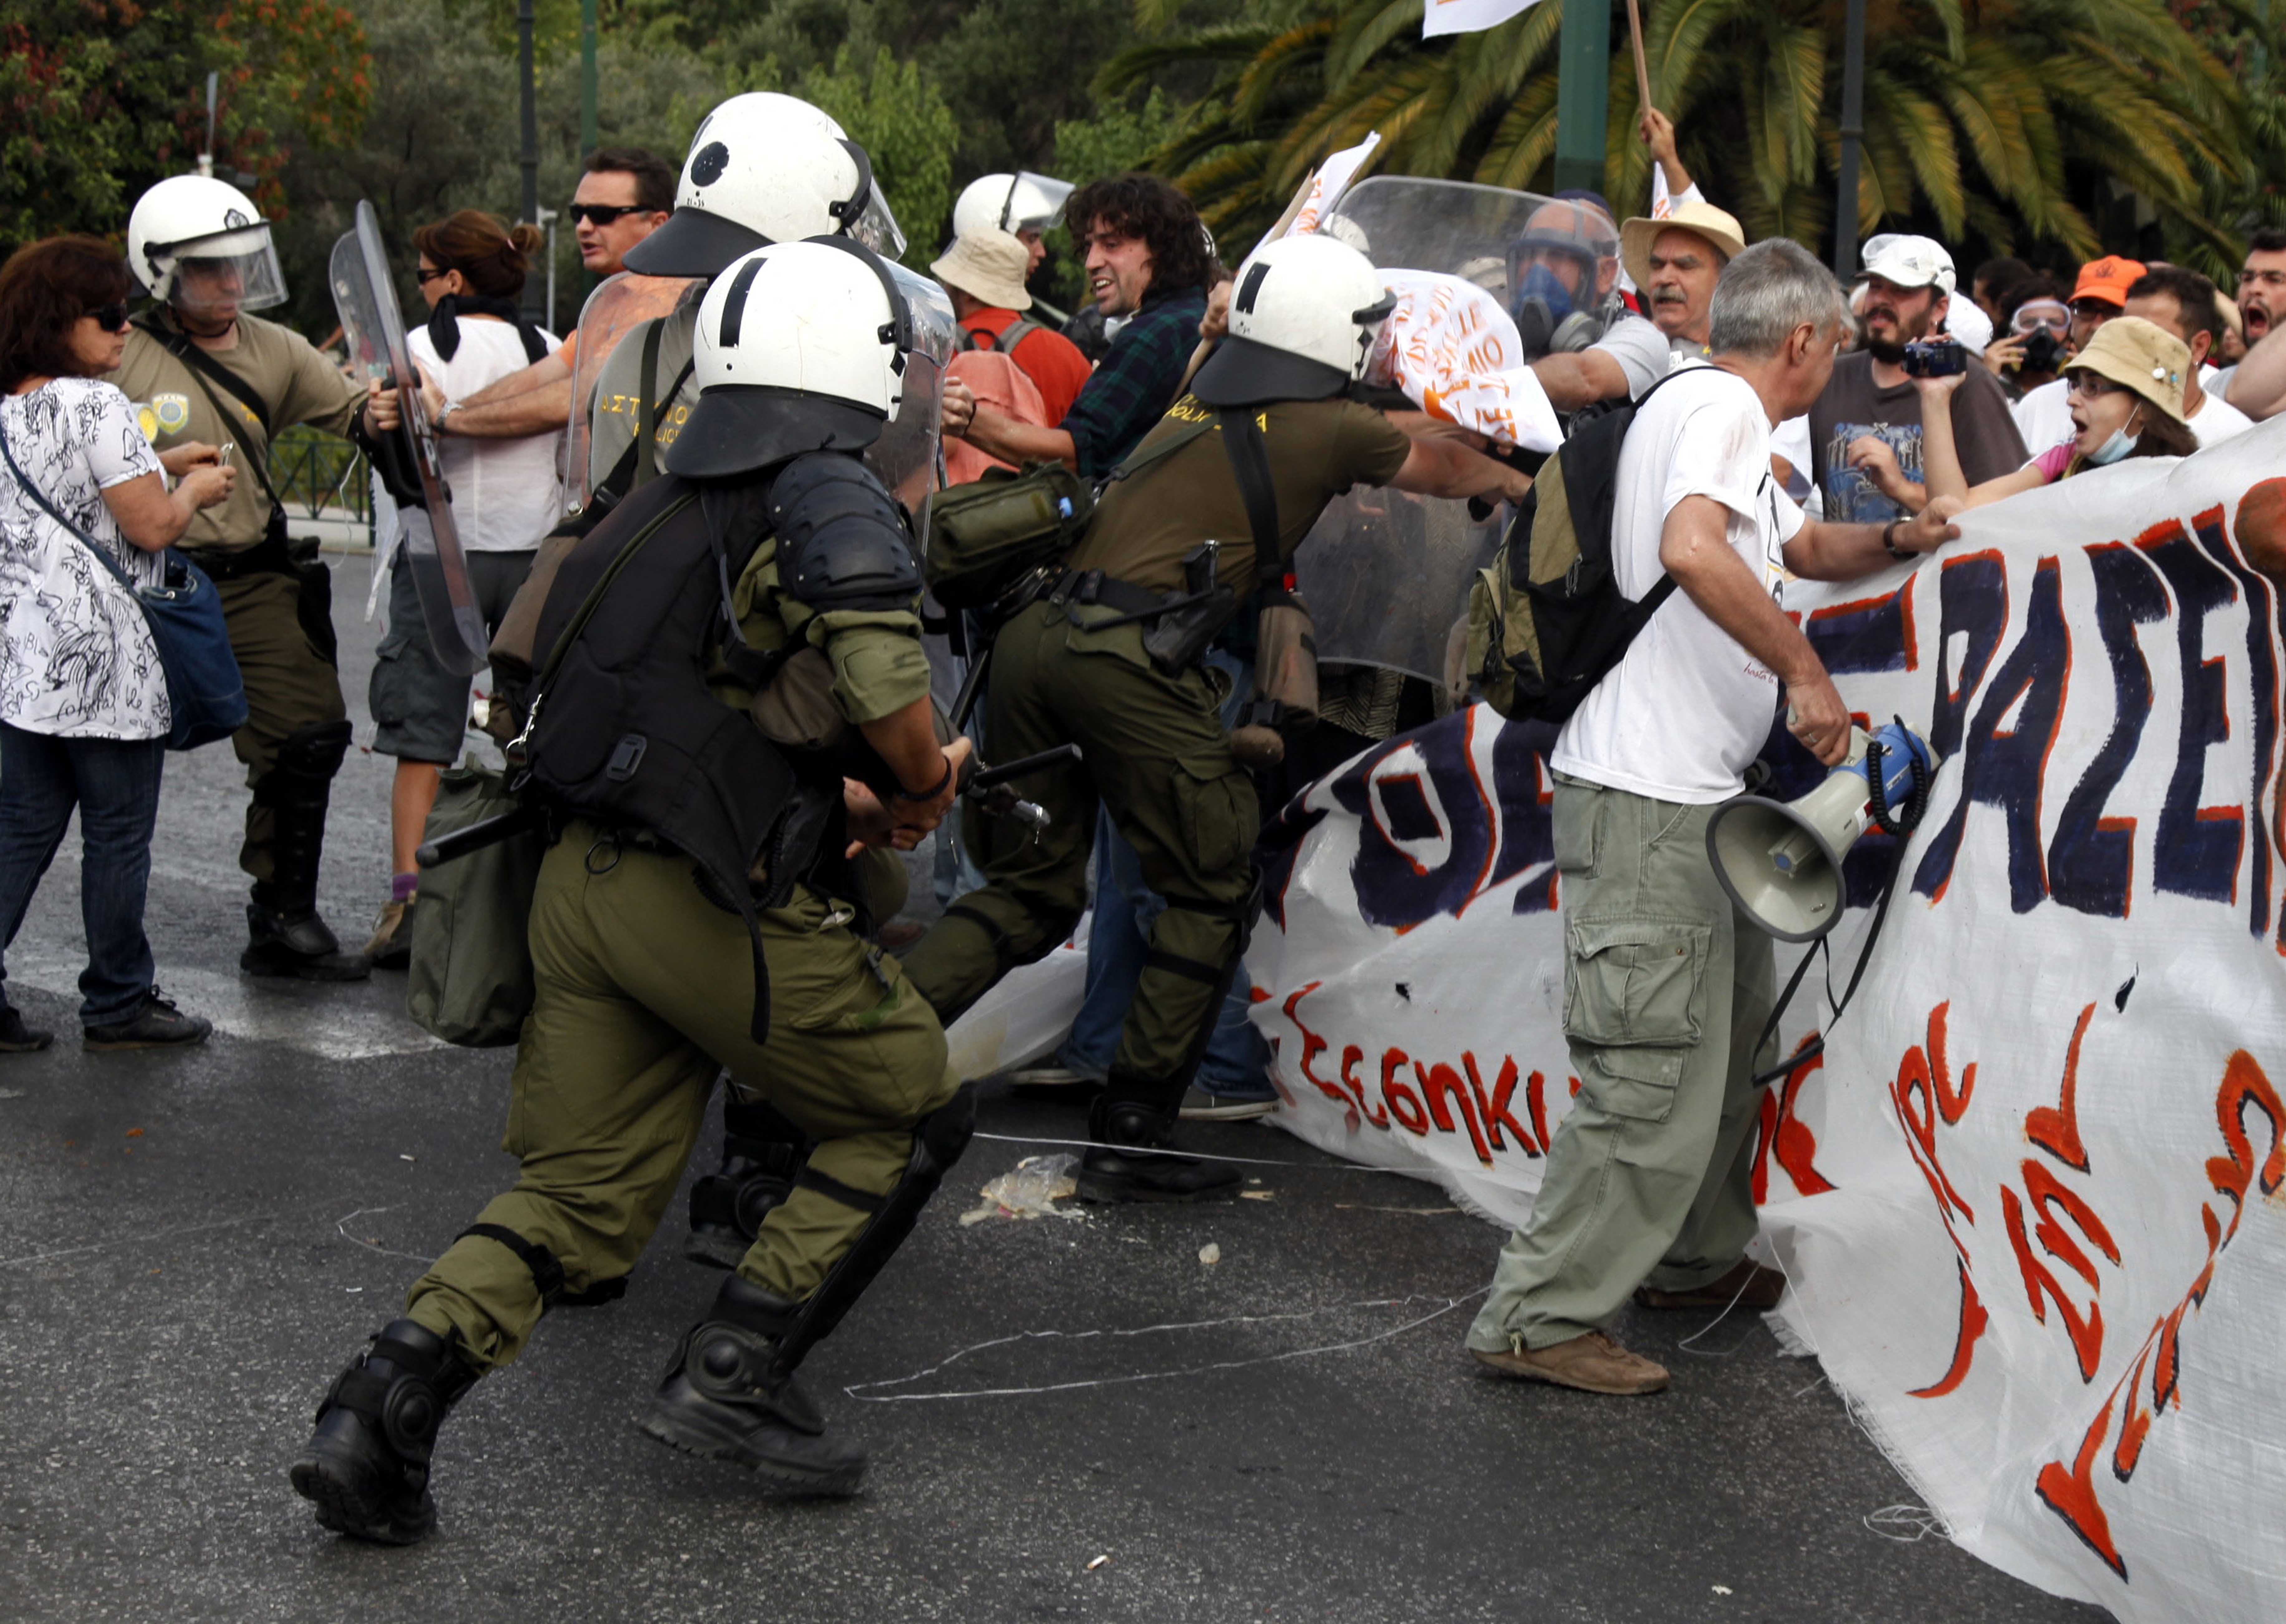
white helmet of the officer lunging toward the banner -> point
(1302, 321)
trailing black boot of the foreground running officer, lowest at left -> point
(369, 1461)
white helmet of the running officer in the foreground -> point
(799, 348)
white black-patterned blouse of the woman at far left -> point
(77, 659)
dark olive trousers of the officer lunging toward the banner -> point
(1158, 759)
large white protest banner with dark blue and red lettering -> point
(2033, 1196)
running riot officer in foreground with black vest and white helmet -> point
(696, 910)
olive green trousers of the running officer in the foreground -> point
(644, 992)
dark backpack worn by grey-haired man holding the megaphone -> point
(1546, 620)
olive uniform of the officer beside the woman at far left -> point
(280, 613)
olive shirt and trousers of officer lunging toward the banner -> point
(1156, 748)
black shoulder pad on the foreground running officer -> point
(842, 540)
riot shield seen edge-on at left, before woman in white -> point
(367, 303)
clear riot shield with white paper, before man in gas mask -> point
(1386, 574)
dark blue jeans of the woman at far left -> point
(115, 787)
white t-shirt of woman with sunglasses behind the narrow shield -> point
(506, 495)
